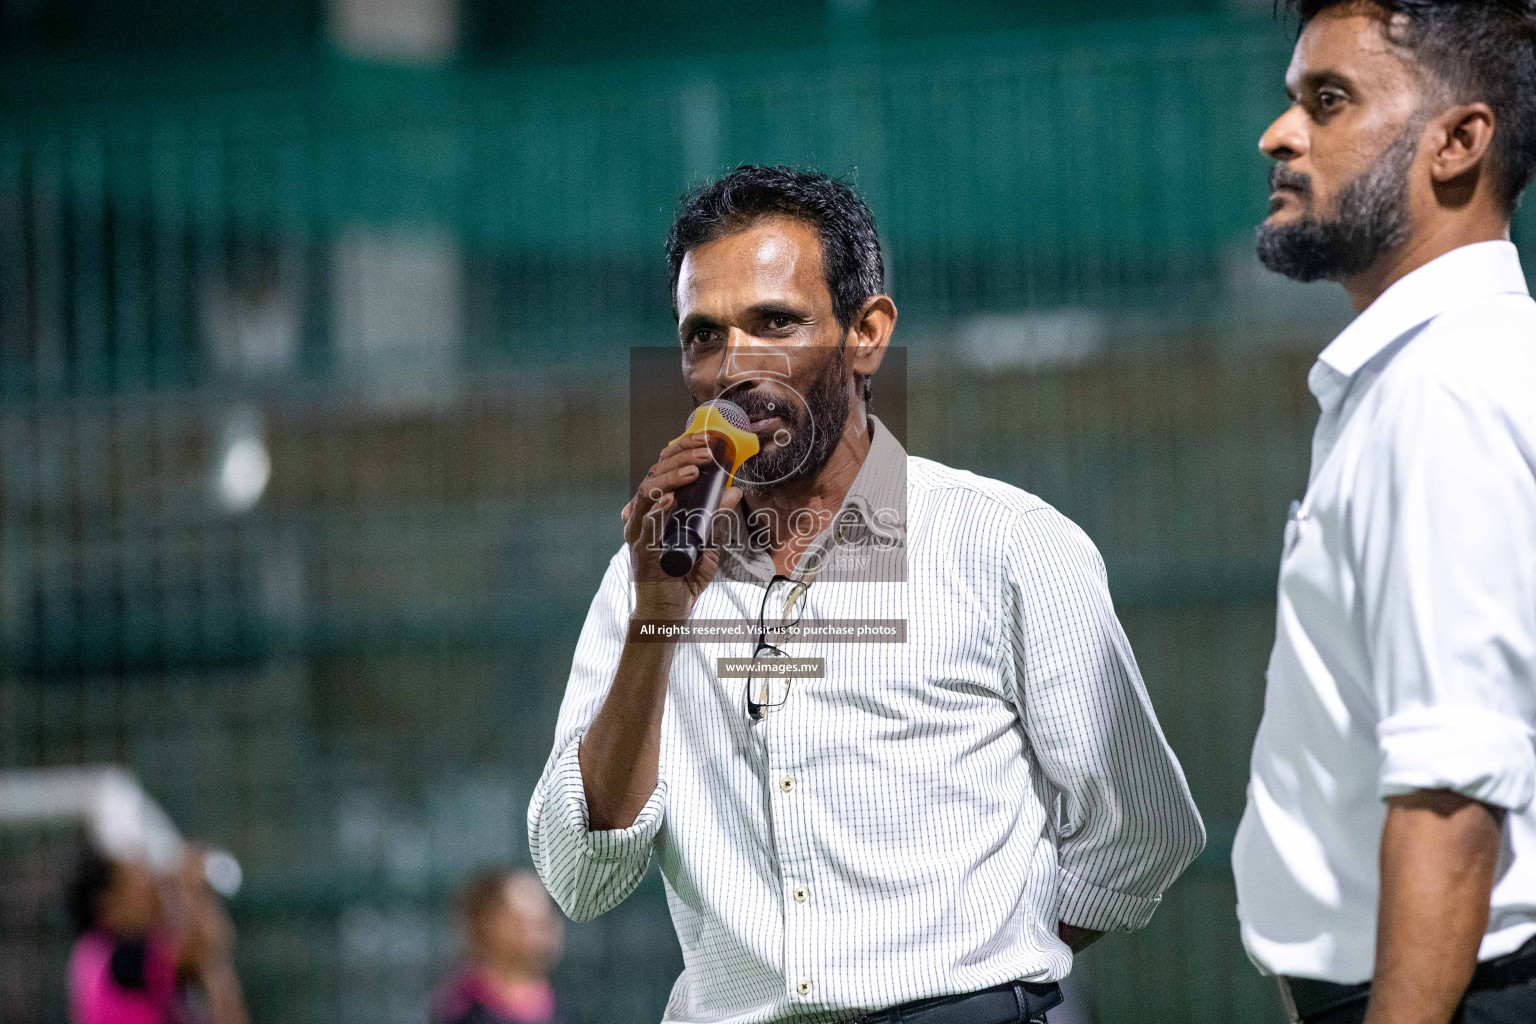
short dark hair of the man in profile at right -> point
(1475, 50)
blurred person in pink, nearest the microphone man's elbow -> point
(514, 937)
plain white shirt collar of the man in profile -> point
(1468, 274)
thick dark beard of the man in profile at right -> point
(1371, 219)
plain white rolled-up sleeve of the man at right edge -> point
(1443, 521)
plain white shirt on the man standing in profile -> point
(1406, 633)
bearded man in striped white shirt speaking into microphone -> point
(924, 831)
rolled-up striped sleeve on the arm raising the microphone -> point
(591, 873)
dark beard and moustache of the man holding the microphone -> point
(815, 431)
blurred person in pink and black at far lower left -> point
(150, 950)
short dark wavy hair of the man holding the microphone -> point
(850, 245)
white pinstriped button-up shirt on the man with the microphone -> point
(919, 821)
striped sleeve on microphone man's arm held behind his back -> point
(1128, 824)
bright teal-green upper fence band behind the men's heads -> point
(1111, 168)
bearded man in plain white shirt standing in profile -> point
(1386, 864)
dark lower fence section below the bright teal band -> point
(353, 684)
